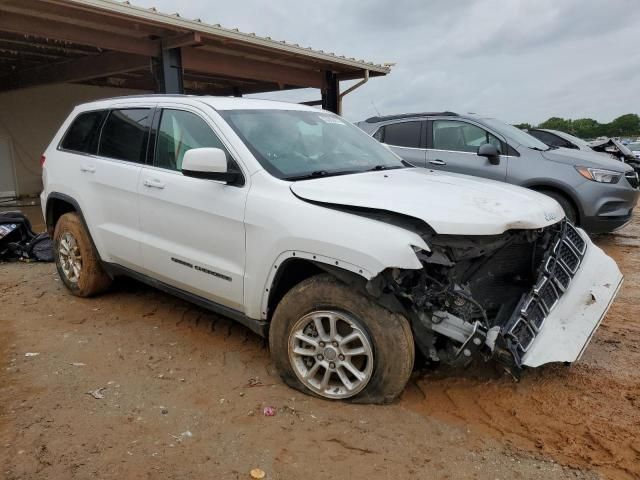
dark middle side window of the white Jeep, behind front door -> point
(124, 135)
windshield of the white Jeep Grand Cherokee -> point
(295, 144)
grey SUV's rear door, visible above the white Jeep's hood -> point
(406, 139)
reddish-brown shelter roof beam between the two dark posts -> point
(232, 66)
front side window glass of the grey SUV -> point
(461, 136)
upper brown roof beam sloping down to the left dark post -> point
(38, 27)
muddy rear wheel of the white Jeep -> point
(76, 260)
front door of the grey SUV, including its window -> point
(453, 146)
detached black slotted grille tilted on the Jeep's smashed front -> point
(560, 266)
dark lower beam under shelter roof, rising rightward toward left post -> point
(82, 69)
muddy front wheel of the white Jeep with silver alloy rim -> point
(323, 325)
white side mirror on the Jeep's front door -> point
(209, 164)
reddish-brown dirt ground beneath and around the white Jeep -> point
(184, 392)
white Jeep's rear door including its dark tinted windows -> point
(107, 149)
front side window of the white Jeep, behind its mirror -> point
(179, 132)
